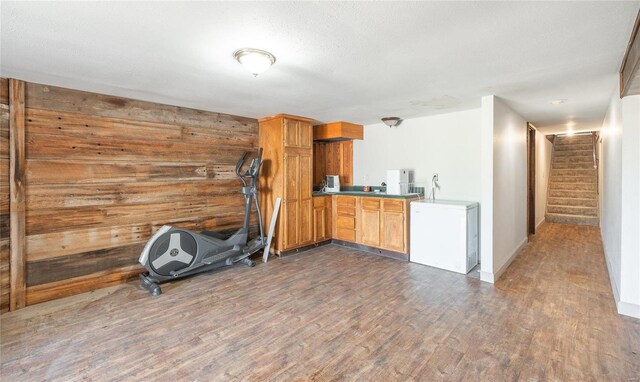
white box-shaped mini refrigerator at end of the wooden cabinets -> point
(444, 234)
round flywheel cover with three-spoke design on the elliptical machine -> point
(163, 260)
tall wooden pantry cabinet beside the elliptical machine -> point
(287, 172)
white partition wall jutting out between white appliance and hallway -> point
(508, 191)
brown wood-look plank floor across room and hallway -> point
(337, 314)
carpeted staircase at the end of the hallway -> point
(573, 185)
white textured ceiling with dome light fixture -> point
(353, 61)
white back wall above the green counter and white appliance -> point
(446, 144)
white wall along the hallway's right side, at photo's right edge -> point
(619, 200)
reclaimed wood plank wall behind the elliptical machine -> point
(103, 173)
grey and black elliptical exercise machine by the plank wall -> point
(172, 252)
